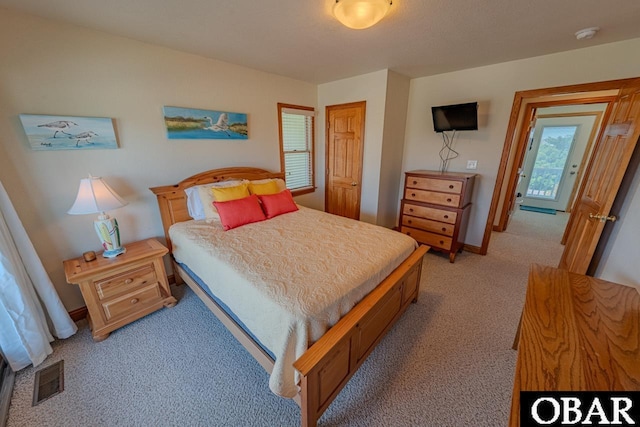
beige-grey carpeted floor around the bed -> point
(447, 362)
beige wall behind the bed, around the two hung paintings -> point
(52, 68)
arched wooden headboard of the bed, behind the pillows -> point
(172, 200)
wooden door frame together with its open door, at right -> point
(611, 154)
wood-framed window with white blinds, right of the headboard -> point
(296, 147)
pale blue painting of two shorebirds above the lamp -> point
(68, 132)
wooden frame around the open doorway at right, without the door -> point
(516, 137)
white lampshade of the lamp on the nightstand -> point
(95, 196)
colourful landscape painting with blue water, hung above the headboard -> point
(190, 123)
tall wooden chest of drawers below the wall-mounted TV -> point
(435, 208)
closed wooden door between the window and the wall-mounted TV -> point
(345, 141)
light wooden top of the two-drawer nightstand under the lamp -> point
(77, 269)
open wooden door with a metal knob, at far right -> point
(604, 174)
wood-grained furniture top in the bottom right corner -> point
(578, 333)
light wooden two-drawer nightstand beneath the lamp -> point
(119, 290)
